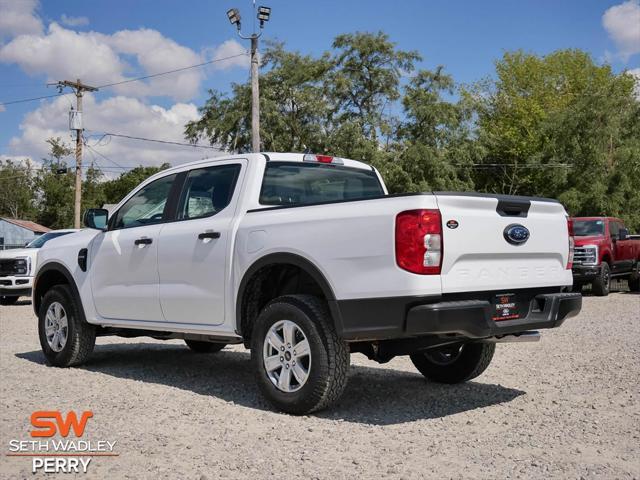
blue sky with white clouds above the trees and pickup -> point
(115, 40)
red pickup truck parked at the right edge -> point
(604, 249)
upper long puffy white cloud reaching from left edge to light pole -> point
(99, 59)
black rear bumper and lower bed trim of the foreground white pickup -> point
(464, 315)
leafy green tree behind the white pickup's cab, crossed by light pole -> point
(322, 104)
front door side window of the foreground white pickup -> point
(147, 206)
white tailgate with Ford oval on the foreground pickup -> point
(479, 256)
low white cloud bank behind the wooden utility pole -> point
(119, 114)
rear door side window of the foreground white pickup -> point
(207, 191)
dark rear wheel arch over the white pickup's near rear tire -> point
(266, 266)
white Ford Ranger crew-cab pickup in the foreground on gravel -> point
(304, 259)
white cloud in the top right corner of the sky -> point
(622, 22)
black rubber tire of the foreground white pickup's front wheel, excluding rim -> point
(81, 336)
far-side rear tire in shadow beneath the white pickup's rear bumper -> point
(455, 363)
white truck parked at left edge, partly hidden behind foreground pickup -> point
(18, 265)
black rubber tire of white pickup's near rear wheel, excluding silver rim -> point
(329, 355)
